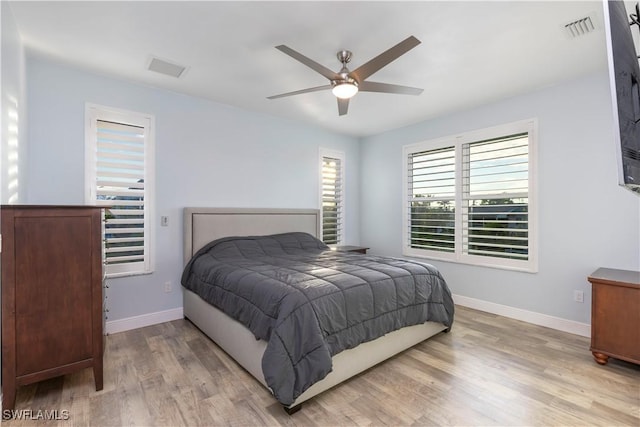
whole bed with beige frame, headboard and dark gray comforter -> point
(288, 236)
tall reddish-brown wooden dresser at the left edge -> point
(52, 319)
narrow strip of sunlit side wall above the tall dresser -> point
(14, 118)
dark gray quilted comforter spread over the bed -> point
(309, 303)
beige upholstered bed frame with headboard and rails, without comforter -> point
(203, 225)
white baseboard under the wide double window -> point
(558, 323)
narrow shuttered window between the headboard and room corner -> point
(332, 196)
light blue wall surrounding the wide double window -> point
(585, 219)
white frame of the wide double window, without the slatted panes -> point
(457, 141)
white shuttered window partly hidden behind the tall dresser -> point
(119, 175)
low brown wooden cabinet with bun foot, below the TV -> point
(615, 315)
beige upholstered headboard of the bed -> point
(202, 225)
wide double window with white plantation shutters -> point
(471, 199)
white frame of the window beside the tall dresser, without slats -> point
(94, 113)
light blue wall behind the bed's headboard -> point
(207, 154)
